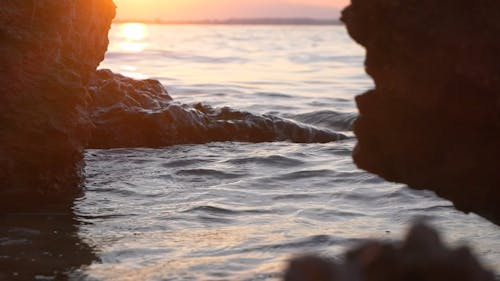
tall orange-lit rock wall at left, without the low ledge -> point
(48, 53)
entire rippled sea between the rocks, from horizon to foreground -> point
(240, 211)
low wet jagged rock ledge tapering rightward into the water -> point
(132, 113)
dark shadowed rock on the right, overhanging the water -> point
(433, 119)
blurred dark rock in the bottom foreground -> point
(420, 257)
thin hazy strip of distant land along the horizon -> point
(250, 21)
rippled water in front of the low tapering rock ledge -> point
(235, 211)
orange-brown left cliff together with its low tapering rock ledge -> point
(54, 104)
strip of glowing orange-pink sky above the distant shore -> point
(223, 9)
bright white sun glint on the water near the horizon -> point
(134, 37)
